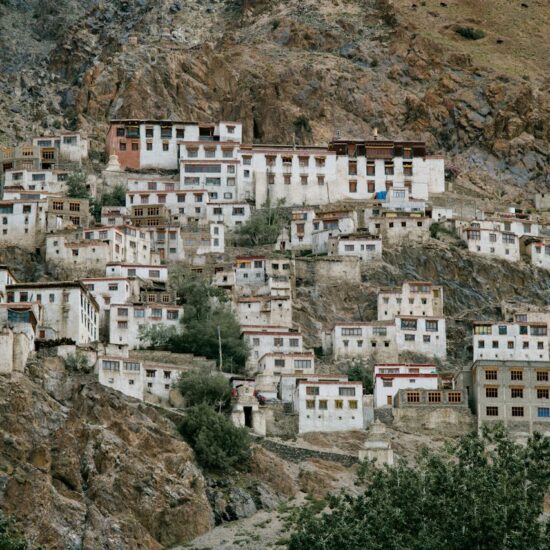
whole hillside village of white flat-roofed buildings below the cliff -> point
(186, 191)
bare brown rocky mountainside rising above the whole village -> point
(304, 67)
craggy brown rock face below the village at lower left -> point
(83, 467)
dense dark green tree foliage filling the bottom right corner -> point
(482, 493)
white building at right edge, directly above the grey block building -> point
(511, 341)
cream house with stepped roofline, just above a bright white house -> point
(416, 298)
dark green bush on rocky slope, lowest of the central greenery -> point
(218, 444)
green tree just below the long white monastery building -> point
(264, 225)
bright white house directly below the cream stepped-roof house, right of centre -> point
(425, 335)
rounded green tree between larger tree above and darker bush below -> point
(203, 387)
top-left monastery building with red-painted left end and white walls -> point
(140, 144)
